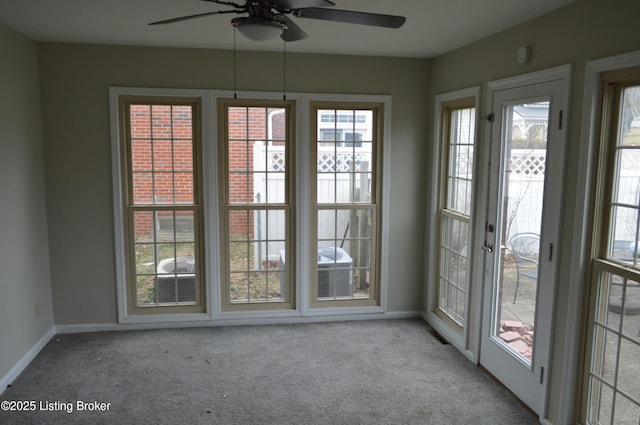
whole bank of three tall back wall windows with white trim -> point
(212, 218)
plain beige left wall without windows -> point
(24, 253)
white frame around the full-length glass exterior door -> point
(560, 73)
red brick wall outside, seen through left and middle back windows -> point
(162, 158)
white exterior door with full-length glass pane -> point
(525, 166)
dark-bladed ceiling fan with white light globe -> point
(266, 19)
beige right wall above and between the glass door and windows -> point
(582, 31)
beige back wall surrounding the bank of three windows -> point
(75, 81)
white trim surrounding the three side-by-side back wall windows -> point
(214, 312)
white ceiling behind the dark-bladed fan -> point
(432, 27)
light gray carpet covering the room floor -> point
(373, 372)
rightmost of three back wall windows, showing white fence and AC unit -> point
(345, 206)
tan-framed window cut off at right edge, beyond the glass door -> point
(614, 377)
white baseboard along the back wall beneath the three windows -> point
(234, 321)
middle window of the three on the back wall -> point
(257, 199)
